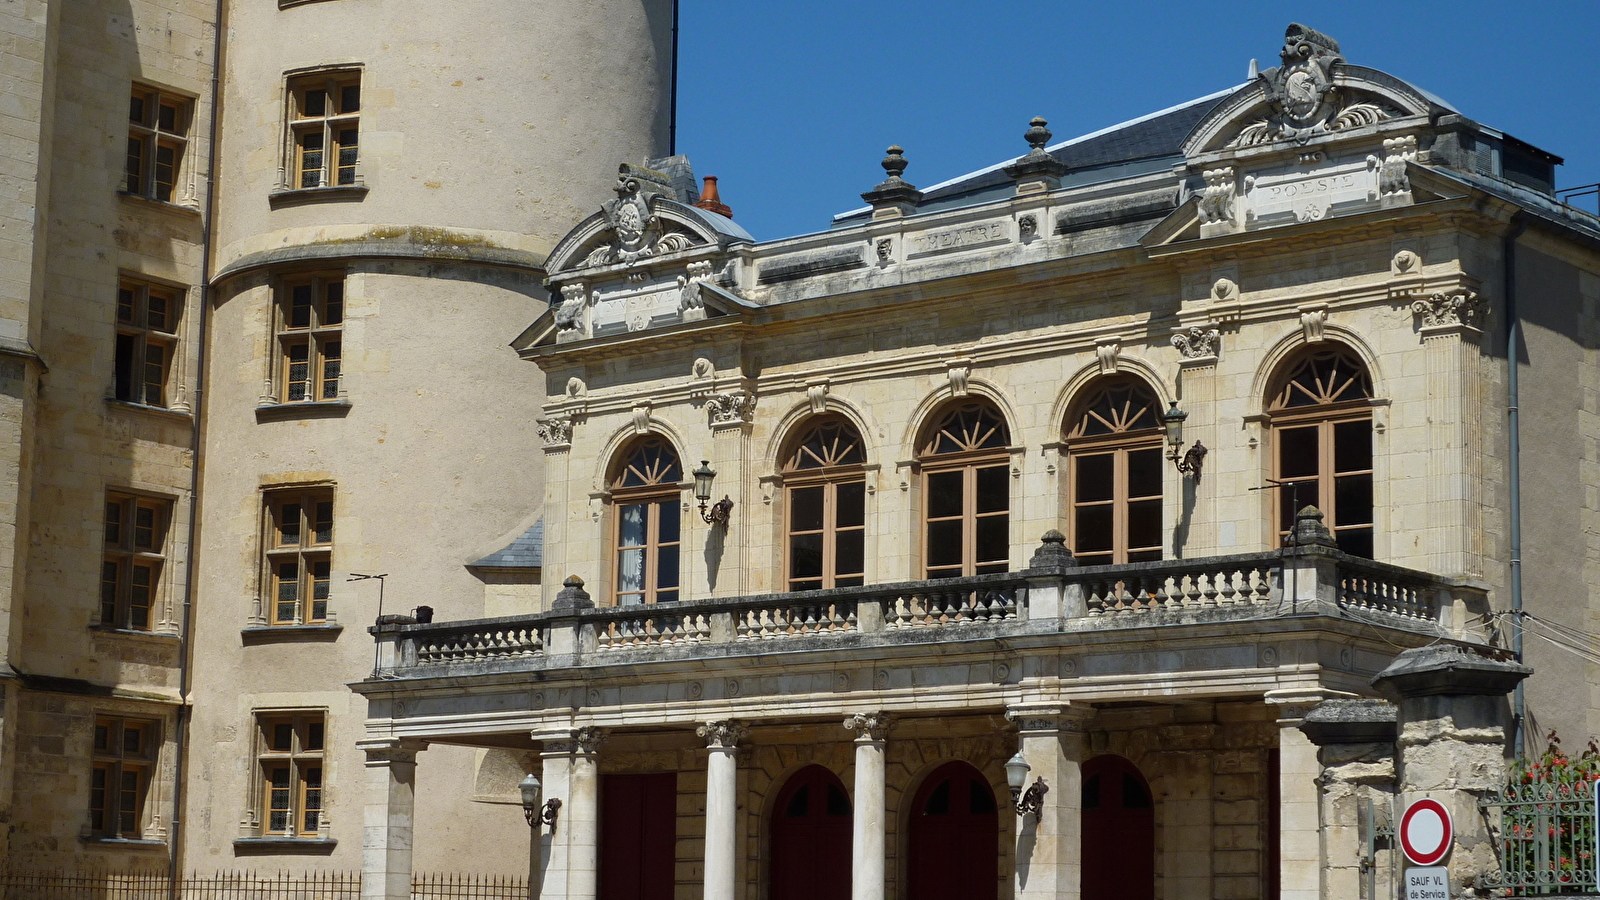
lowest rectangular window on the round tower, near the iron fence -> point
(292, 773)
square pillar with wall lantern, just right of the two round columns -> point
(1050, 846)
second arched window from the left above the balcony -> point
(826, 507)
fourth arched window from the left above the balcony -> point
(1114, 475)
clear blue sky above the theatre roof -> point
(793, 103)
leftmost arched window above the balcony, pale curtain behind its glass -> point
(649, 523)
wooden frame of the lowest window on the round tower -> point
(306, 784)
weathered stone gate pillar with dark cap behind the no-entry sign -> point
(1452, 742)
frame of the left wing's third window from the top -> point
(124, 556)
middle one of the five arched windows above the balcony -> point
(967, 494)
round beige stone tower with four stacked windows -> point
(391, 175)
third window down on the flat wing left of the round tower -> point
(135, 555)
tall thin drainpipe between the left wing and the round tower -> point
(186, 648)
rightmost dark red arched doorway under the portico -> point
(1119, 832)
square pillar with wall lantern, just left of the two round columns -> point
(572, 777)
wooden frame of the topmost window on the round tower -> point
(327, 127)
